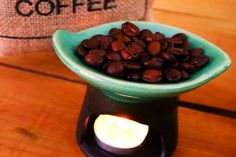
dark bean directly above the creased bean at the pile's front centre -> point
(154, 63)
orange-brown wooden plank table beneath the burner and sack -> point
(40, 98)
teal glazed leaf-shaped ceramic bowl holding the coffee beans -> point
(65, 44)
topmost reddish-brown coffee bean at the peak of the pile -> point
(130, 29)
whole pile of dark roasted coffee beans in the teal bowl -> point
(141, 55)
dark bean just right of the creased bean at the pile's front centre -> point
(172, 75)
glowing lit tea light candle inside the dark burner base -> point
(119, 135)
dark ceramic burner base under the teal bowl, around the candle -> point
(160, 115)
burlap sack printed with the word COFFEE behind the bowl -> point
(27, 25)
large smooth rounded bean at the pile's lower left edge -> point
(94, 60)
